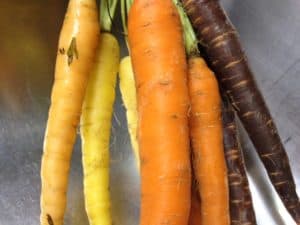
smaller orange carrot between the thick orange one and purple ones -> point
(207, 143)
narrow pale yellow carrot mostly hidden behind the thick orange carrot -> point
(128, 92)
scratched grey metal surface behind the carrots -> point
(270, 33)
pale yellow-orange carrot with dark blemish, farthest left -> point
(76, 50)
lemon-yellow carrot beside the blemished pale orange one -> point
(96, 129)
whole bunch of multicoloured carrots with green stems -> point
(182, 131)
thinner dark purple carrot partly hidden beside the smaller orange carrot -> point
(241, 208)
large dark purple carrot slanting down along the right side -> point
(220, 41)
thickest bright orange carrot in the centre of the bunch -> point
(159, 65)
